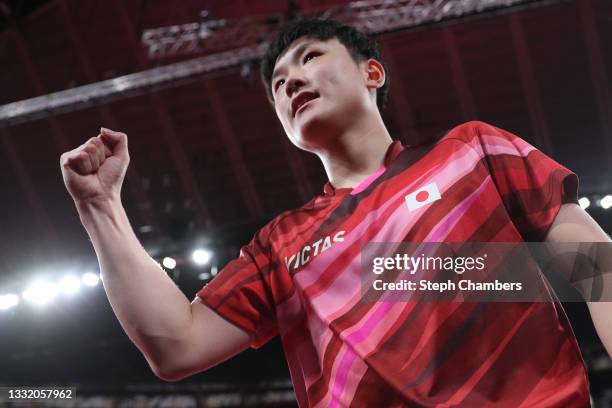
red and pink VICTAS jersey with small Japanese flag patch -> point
(300, 277)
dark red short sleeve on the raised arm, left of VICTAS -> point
(240, 292)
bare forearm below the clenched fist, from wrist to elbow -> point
(151, 309)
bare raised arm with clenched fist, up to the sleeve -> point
(177, 338)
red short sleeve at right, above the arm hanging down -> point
(533, 186)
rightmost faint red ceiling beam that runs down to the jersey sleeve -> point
(529, 85)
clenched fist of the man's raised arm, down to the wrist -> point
(95, 170)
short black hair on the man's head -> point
(360, 46)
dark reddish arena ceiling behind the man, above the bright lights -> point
(210, 161)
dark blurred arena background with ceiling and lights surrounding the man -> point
(210, 163)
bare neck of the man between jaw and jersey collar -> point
(356, 152)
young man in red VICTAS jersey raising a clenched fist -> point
(300, 275)
